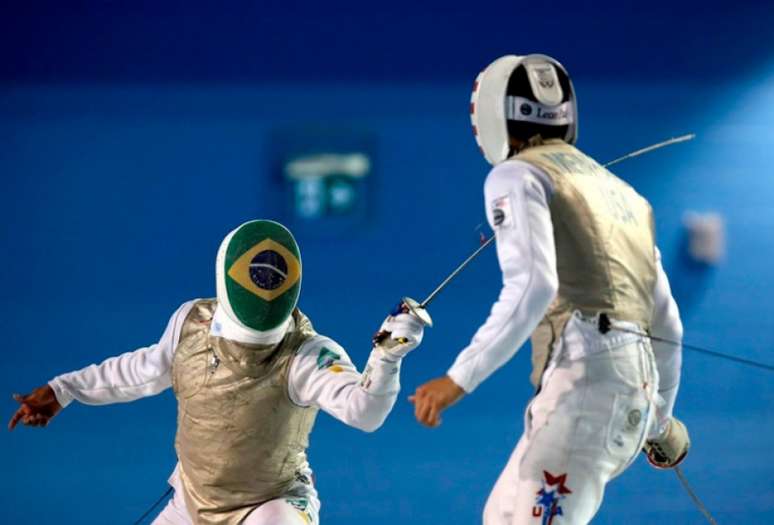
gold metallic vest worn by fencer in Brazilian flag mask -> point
(240, 439)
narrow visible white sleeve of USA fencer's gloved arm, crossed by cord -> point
(666, 324)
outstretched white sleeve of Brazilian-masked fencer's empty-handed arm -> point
(129, 376)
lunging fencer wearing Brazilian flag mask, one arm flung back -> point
(250, 374)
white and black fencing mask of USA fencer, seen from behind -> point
(520, 97)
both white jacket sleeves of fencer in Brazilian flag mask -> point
(336, 388)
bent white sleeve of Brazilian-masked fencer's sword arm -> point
(323, 375)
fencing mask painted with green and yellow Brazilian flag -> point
(259, 269)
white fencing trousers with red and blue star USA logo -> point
(585, 426)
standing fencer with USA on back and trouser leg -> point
(580, 273)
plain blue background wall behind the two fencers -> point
(134, 139)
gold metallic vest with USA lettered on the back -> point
(605, 245)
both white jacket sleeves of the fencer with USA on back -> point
(527, 258)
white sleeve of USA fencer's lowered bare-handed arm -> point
(517, 199)
